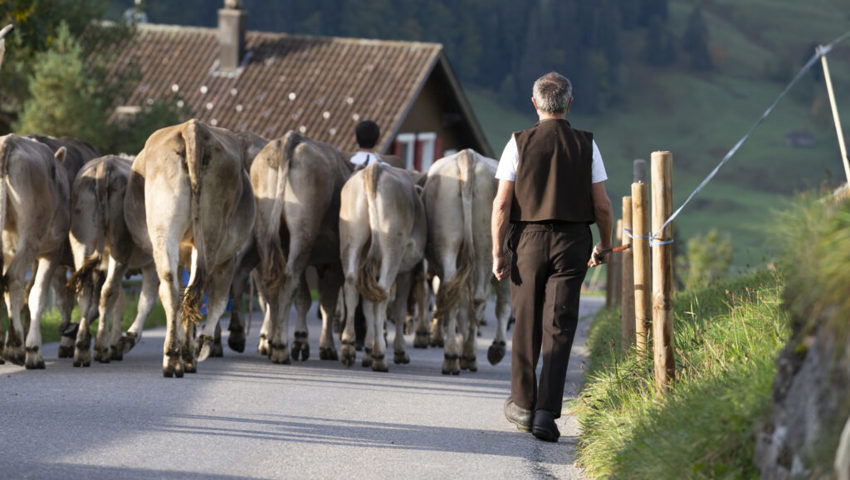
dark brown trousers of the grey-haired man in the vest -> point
(548, 266)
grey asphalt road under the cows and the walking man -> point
(242, 417)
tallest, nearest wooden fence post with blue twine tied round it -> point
(662, 269)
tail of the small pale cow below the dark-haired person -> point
(370, 261)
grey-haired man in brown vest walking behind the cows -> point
(551, 188)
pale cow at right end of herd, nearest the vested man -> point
(458, 199)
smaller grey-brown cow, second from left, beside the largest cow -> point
(103, 251)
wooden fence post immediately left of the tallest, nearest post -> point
(642, 265)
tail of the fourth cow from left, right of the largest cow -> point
(270, 248)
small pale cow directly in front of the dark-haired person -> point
(382, 230)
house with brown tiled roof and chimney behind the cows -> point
(269, 83)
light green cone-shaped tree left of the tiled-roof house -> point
(64, 98)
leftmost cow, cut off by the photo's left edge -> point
(34, 221)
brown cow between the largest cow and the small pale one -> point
(297, 183)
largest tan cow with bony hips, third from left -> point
(189, 193)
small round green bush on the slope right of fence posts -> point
(707, 259)
